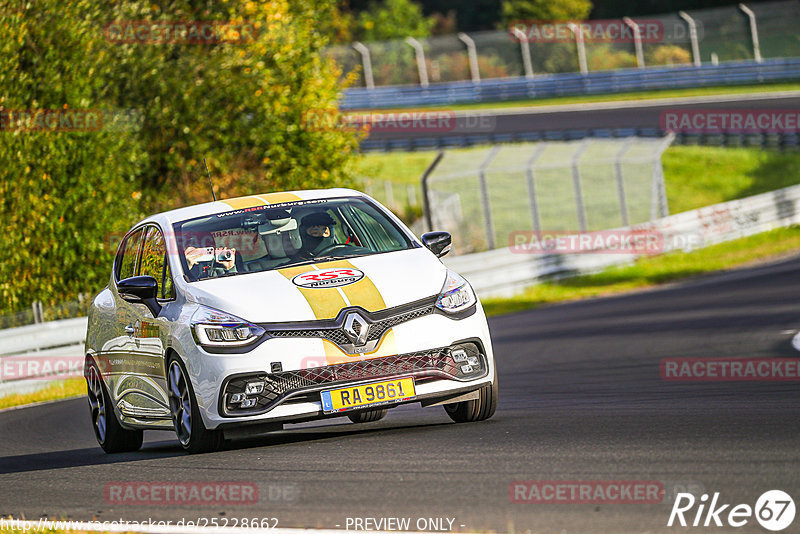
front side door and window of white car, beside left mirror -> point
(144, 395)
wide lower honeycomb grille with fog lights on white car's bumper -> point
(280, 387)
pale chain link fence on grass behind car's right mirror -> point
(483, 196)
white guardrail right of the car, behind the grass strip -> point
(501, 272)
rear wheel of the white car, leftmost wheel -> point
(110, 434)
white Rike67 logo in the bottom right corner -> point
(774, 510)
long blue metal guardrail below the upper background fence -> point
(570, 84)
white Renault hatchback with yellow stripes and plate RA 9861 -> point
(233, 317)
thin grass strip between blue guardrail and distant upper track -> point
(642, 95)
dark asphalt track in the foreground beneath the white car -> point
(581, 399)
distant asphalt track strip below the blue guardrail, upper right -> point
(610, 115)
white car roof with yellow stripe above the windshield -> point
(251, 201)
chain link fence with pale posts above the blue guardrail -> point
(720, 34)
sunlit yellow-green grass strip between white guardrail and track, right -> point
(653, 271)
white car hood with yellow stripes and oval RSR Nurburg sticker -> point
(389, 279)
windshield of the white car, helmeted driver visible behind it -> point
(275, 236)
